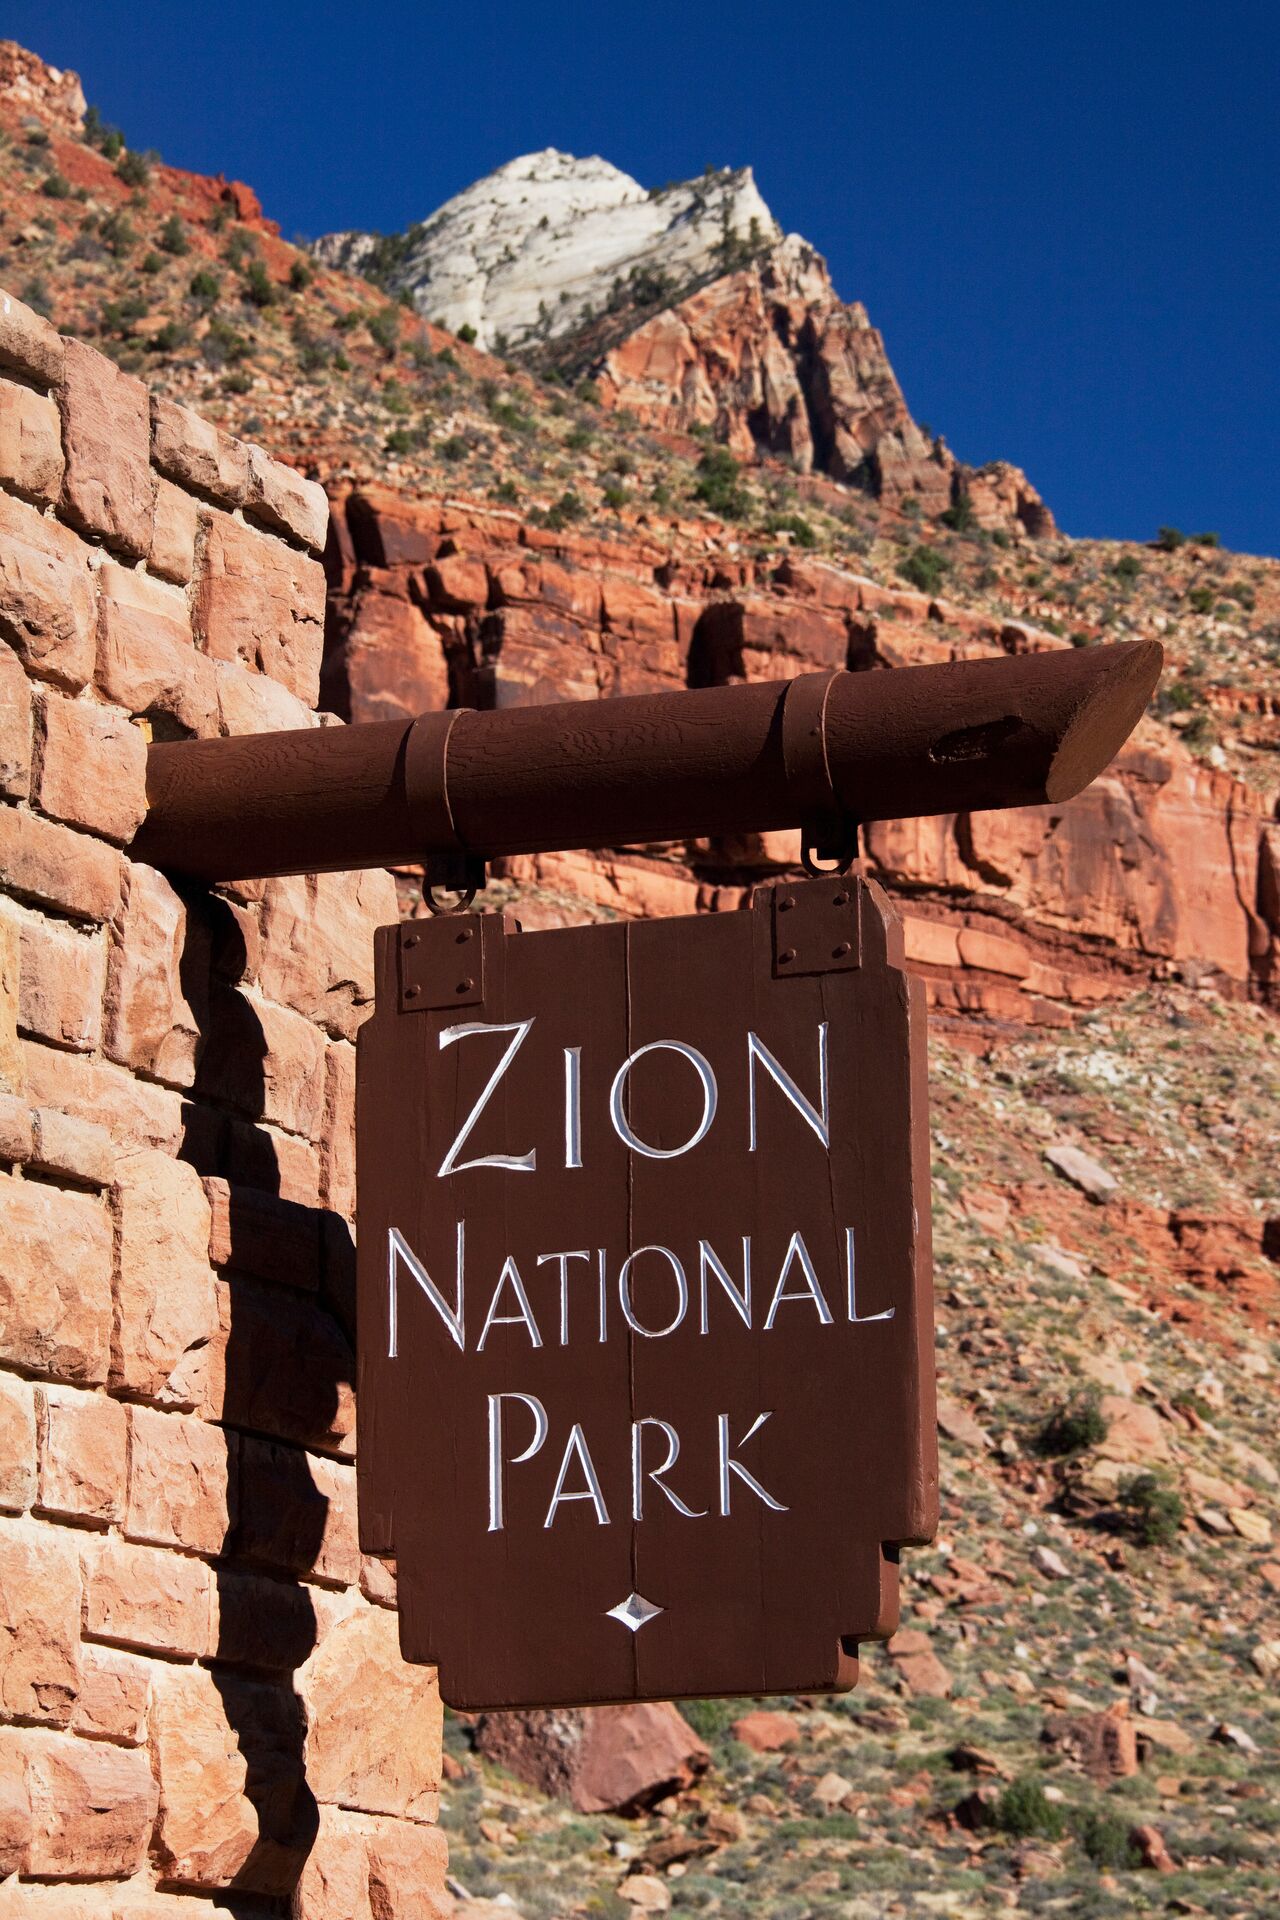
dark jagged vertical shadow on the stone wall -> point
(287, 1307)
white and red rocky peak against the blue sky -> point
(690, 310)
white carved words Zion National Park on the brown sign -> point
(571, 1291)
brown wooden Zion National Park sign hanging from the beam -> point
(646, 1381)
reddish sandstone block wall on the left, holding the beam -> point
(202, 1704)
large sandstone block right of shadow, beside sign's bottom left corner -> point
(373, 1721)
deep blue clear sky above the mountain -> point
(1062, 216)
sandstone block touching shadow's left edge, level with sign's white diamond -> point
(149, 1598)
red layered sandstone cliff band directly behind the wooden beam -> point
(1162, 867)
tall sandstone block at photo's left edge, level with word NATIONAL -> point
(55, 1282)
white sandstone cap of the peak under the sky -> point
(538, 247)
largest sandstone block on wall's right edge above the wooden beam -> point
(262, 604)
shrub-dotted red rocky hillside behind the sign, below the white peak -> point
(1101, 980)
